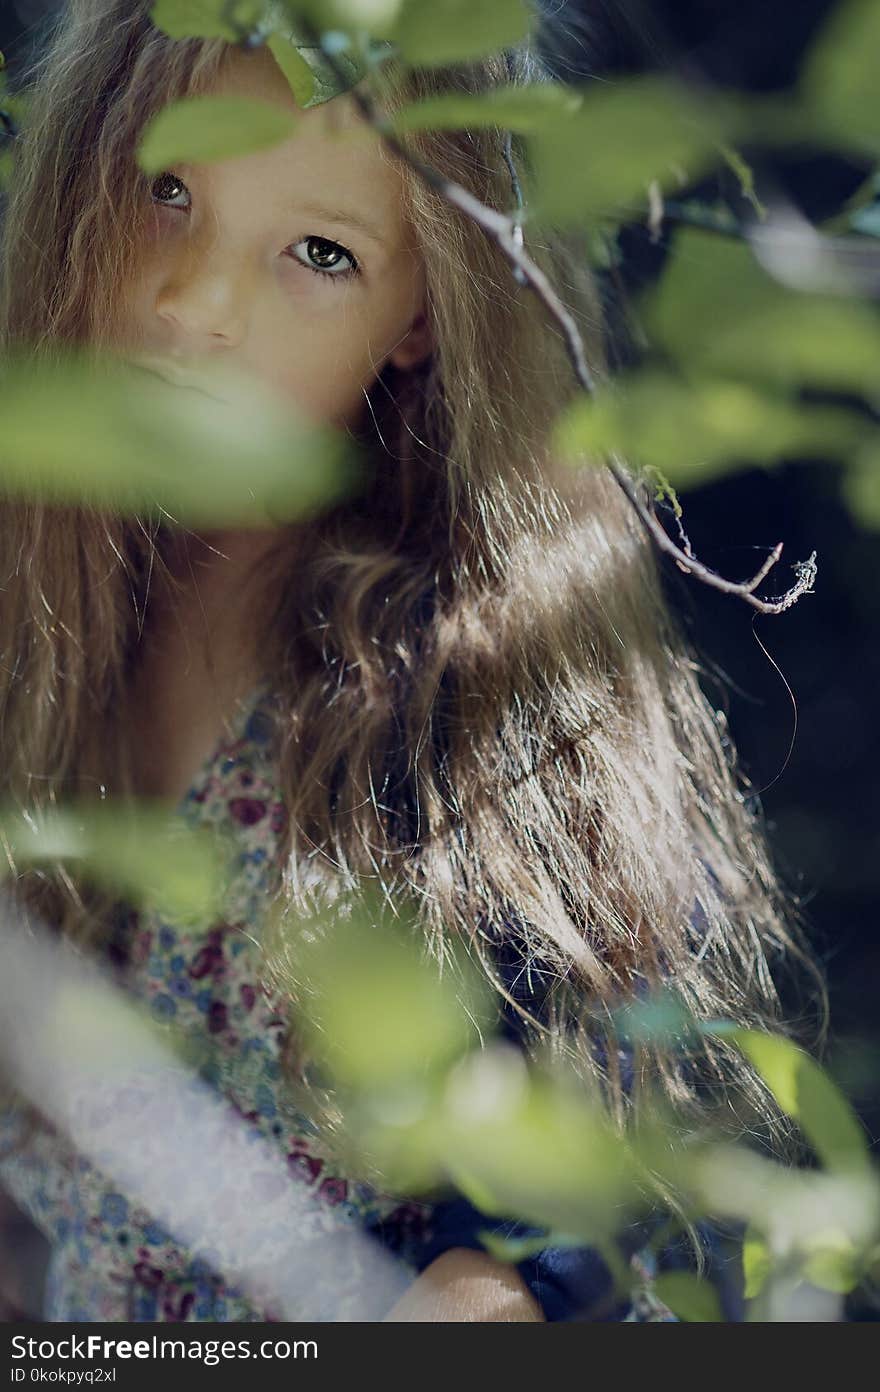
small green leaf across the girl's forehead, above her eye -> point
(203, 130)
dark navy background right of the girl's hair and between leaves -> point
(801, 687)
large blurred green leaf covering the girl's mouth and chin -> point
(115, 436)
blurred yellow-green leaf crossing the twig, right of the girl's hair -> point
(700, 431)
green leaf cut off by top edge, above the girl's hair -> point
(450, 31)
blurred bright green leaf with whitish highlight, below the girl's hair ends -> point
(514, 1144)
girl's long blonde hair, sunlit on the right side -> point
(485, 698)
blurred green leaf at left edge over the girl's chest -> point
(151, 858)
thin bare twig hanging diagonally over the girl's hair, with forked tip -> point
(508, 235)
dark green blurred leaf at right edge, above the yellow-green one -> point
(718, 314)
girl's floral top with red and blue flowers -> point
(111, 1260)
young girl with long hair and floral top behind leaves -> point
(462, 681)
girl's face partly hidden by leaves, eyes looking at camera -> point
(294, 264)
